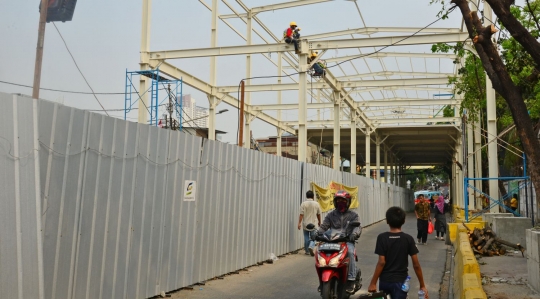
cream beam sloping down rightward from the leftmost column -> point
(200, 85)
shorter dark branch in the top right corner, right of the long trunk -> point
(518, 31)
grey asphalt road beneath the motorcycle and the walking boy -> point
(294, 276)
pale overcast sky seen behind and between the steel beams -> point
(104, 38)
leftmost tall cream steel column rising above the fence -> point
(145, 48)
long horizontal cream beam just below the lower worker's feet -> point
(339, 84)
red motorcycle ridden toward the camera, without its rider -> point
(332, 264)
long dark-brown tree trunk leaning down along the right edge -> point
(504, 85)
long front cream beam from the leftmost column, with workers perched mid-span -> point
(315, 45)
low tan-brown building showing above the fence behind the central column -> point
(289, 149)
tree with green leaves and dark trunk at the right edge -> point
(512, 64)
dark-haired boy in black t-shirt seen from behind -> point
(393, 248)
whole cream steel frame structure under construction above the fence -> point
(331, 91)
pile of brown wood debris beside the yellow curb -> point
(485, 242)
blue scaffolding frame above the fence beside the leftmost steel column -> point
(153, 89)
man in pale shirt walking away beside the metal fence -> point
(310, 211)
